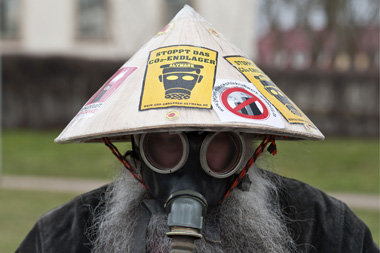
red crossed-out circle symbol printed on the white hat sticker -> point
(244, 104)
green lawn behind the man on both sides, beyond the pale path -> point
(341, 165)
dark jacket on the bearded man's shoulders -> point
(319, 223)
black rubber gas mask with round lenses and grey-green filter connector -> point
(188, 172)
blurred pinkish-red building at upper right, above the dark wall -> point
(293, 49)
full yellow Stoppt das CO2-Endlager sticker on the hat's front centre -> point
(180, 76)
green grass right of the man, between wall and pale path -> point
(341, 165)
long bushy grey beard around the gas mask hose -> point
(247, 221)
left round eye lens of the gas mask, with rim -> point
(164, 152)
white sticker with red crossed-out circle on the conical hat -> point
(237, 101)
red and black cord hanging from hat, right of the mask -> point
(259, 150)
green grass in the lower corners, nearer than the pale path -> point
(19, 210)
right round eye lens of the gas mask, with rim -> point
(221, 154)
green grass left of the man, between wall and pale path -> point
(35, 153)
